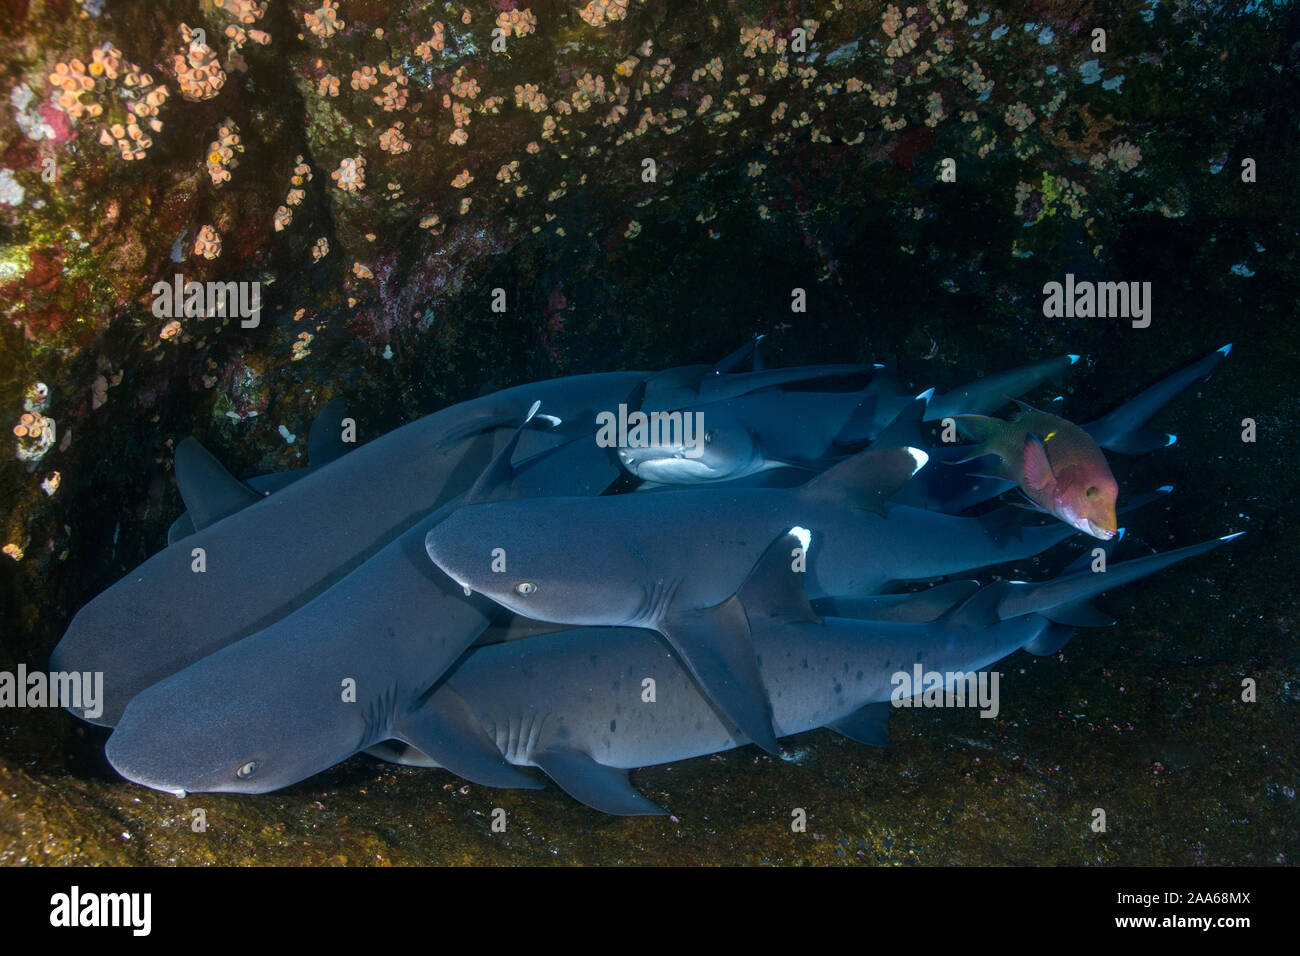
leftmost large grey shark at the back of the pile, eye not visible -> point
(267, 556)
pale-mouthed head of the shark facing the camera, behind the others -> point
(722, 449)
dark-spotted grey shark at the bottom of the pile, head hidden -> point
(590, 704)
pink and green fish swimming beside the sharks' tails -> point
(1058, 465)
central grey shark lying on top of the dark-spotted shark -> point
(674, 563)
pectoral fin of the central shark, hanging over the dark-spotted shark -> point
(716, 646)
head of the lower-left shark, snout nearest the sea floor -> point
(250, 719)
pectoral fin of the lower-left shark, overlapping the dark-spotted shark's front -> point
(445, 729)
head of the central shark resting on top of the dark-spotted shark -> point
(552, 560)
